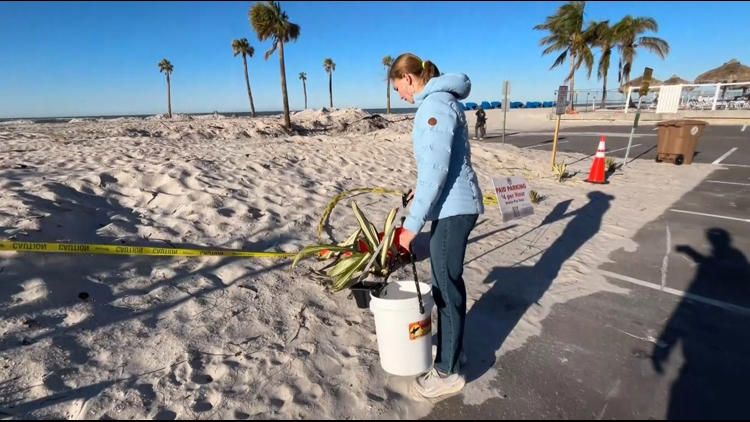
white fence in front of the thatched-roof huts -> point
(698, 97)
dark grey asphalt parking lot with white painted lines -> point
(676, 347)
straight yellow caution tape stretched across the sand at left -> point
(86, 248)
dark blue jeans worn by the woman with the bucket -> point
(448, 238)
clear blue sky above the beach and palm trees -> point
(100, 58)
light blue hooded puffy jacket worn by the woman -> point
(446, 182)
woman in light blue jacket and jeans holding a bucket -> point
(446, 193)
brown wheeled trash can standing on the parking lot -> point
(677, 140)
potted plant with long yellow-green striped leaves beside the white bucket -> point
(350, 257)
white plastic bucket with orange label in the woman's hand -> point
(404, 335)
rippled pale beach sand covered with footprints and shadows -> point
(231, 338)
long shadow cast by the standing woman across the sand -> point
(491, 319)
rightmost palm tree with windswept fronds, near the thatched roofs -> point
(628, 30)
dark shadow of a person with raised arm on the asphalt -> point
(712, 383)
